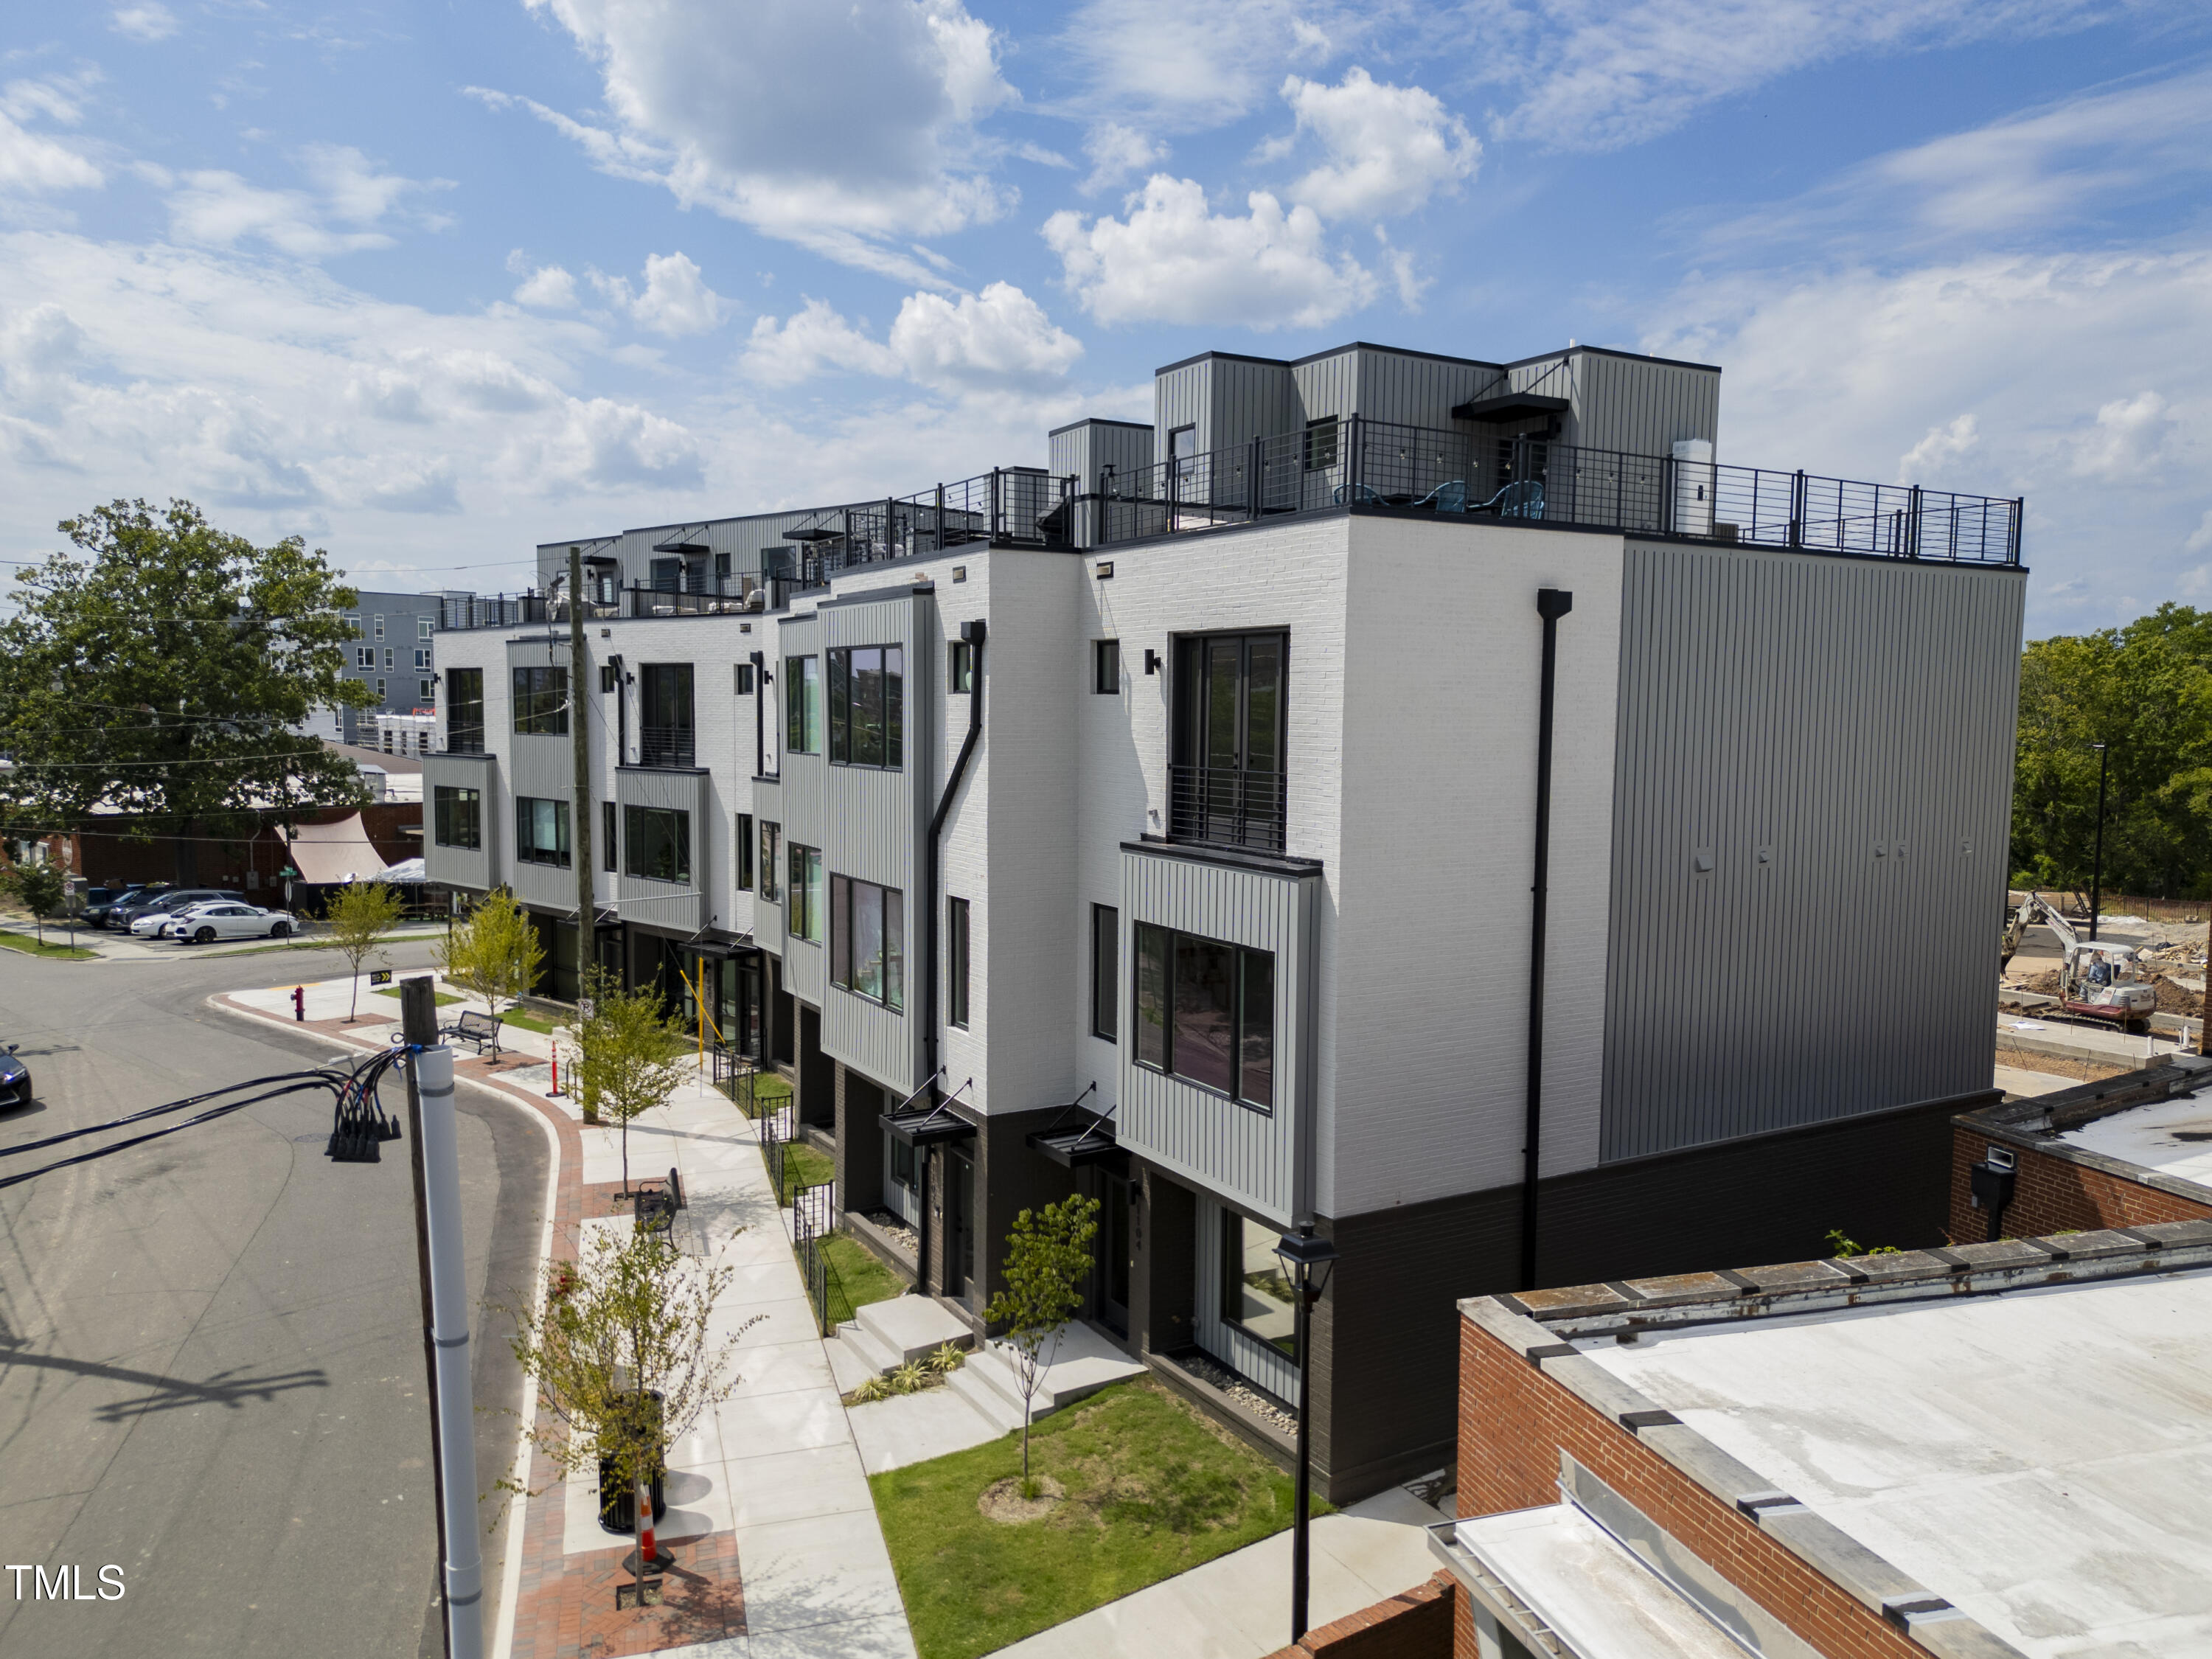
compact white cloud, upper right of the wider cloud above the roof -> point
(1388, 147)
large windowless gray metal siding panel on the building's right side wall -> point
(1857, 720)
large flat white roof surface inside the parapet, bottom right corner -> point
(2043, 1459)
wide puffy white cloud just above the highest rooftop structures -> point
(1171, 260)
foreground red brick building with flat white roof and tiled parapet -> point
(1952, 1452)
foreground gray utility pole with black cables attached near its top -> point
(446, 1315)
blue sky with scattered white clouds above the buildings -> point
(435, 282)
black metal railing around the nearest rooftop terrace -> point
(1381, 463)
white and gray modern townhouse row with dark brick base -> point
(1423, 797)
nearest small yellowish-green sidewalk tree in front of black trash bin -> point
(623, 1359)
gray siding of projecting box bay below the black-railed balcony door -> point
(1215, 1142)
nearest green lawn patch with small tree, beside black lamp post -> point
(1151, 1490)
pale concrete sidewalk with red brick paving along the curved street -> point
(769, 1507)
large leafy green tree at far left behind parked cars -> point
(160, 669)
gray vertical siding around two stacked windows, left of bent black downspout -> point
(875, 831)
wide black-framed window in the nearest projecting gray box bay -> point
(1207, 1014)
